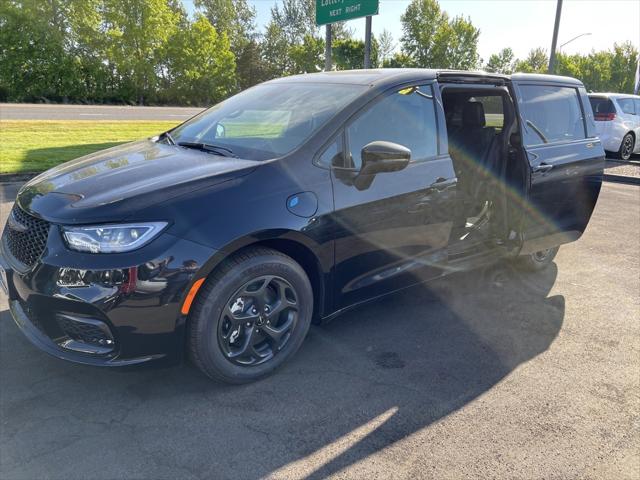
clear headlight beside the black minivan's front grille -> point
(111, 238)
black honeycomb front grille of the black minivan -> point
(25, 236)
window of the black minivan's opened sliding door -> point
(552, 114)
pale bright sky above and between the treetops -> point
(519, 24)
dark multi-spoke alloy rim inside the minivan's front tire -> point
(258, 320)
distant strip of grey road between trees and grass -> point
(28, 111)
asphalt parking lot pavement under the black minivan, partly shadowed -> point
(490, 374)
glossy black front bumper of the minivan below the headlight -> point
(105, 310)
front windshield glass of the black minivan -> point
(267, 121)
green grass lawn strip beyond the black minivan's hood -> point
(37, 145)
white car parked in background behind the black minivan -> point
(617, 118)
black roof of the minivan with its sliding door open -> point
(380, 76)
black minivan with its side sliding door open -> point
(224, 238)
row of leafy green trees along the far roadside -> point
(153, 52)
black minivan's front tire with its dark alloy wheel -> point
(251, 315)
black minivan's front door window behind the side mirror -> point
(406, 117)
